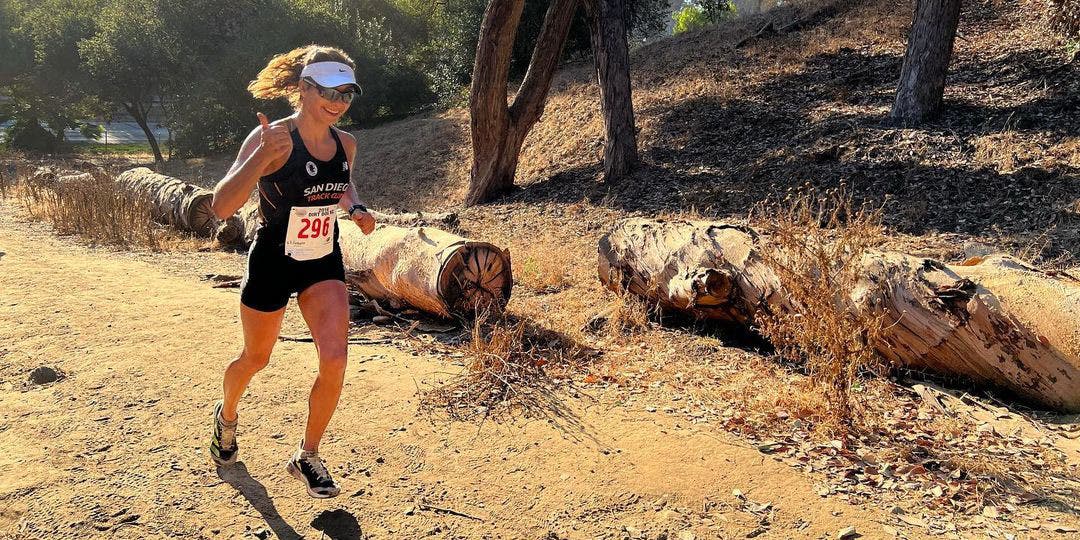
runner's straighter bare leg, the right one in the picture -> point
(326, 308)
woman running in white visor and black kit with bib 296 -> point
(301, 166)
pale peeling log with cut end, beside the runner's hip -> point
(430, 269)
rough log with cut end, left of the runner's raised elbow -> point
(173, 202)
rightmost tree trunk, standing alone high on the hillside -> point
(929, 49)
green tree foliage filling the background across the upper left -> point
(187, 63)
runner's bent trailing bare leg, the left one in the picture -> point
(261, 333)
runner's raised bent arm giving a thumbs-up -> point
(265, 146)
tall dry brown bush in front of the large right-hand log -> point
(817, 247)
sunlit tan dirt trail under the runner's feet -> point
(117, 449)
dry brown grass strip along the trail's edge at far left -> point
(92, 207)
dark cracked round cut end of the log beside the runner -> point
(478, 279)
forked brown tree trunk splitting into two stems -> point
(498, 131)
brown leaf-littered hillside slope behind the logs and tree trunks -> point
(723, 128)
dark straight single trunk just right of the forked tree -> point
(607, 22)
